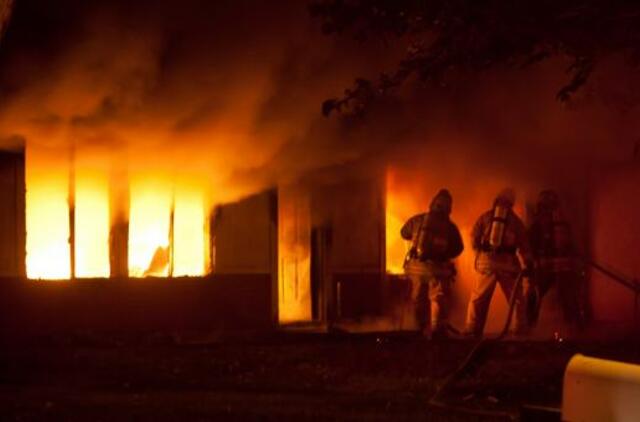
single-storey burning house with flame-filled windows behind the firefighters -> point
(323, 250)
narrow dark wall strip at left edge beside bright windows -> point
(12, 214)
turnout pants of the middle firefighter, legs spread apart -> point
(481, 299)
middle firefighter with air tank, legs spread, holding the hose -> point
(498, 237)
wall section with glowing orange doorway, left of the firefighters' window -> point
(331, 249)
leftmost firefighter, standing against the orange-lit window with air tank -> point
(435, 242)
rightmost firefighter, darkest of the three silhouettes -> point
(553, 249)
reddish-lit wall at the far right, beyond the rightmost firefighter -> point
(615, 242)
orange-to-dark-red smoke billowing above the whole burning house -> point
(232, 90)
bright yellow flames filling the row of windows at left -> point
(69, 206)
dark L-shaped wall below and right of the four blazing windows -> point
(240, 296)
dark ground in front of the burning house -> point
(276, 377)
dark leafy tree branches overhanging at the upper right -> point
(447, 37)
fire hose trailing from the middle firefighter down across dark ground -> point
(471, 358)
